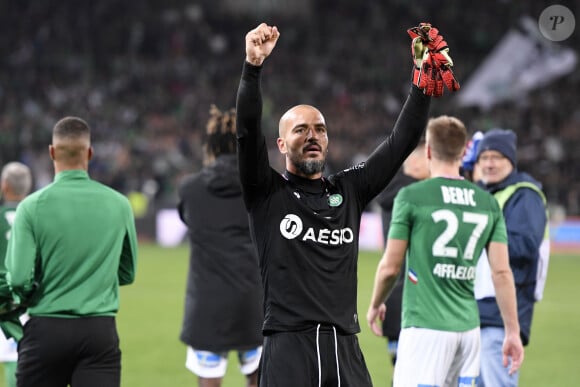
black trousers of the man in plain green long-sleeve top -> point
(56, 352)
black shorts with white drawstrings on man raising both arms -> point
(315, 357)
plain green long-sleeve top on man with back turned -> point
(72, 244)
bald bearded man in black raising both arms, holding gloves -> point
(306, 226)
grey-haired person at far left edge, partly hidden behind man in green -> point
(15, 184)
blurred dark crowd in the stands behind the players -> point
(143, 74)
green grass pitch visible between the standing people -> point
(151, 310)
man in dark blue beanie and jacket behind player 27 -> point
(524, 209)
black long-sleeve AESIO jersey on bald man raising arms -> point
(307, 231)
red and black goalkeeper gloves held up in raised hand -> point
(432, 60)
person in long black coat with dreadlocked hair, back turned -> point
(223, 299)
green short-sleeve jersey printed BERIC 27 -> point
(447, 223)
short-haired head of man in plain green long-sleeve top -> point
(71, 144)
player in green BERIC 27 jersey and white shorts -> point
(440, 226)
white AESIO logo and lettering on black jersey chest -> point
(292, 227)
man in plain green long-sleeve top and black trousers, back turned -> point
(73, 243)
